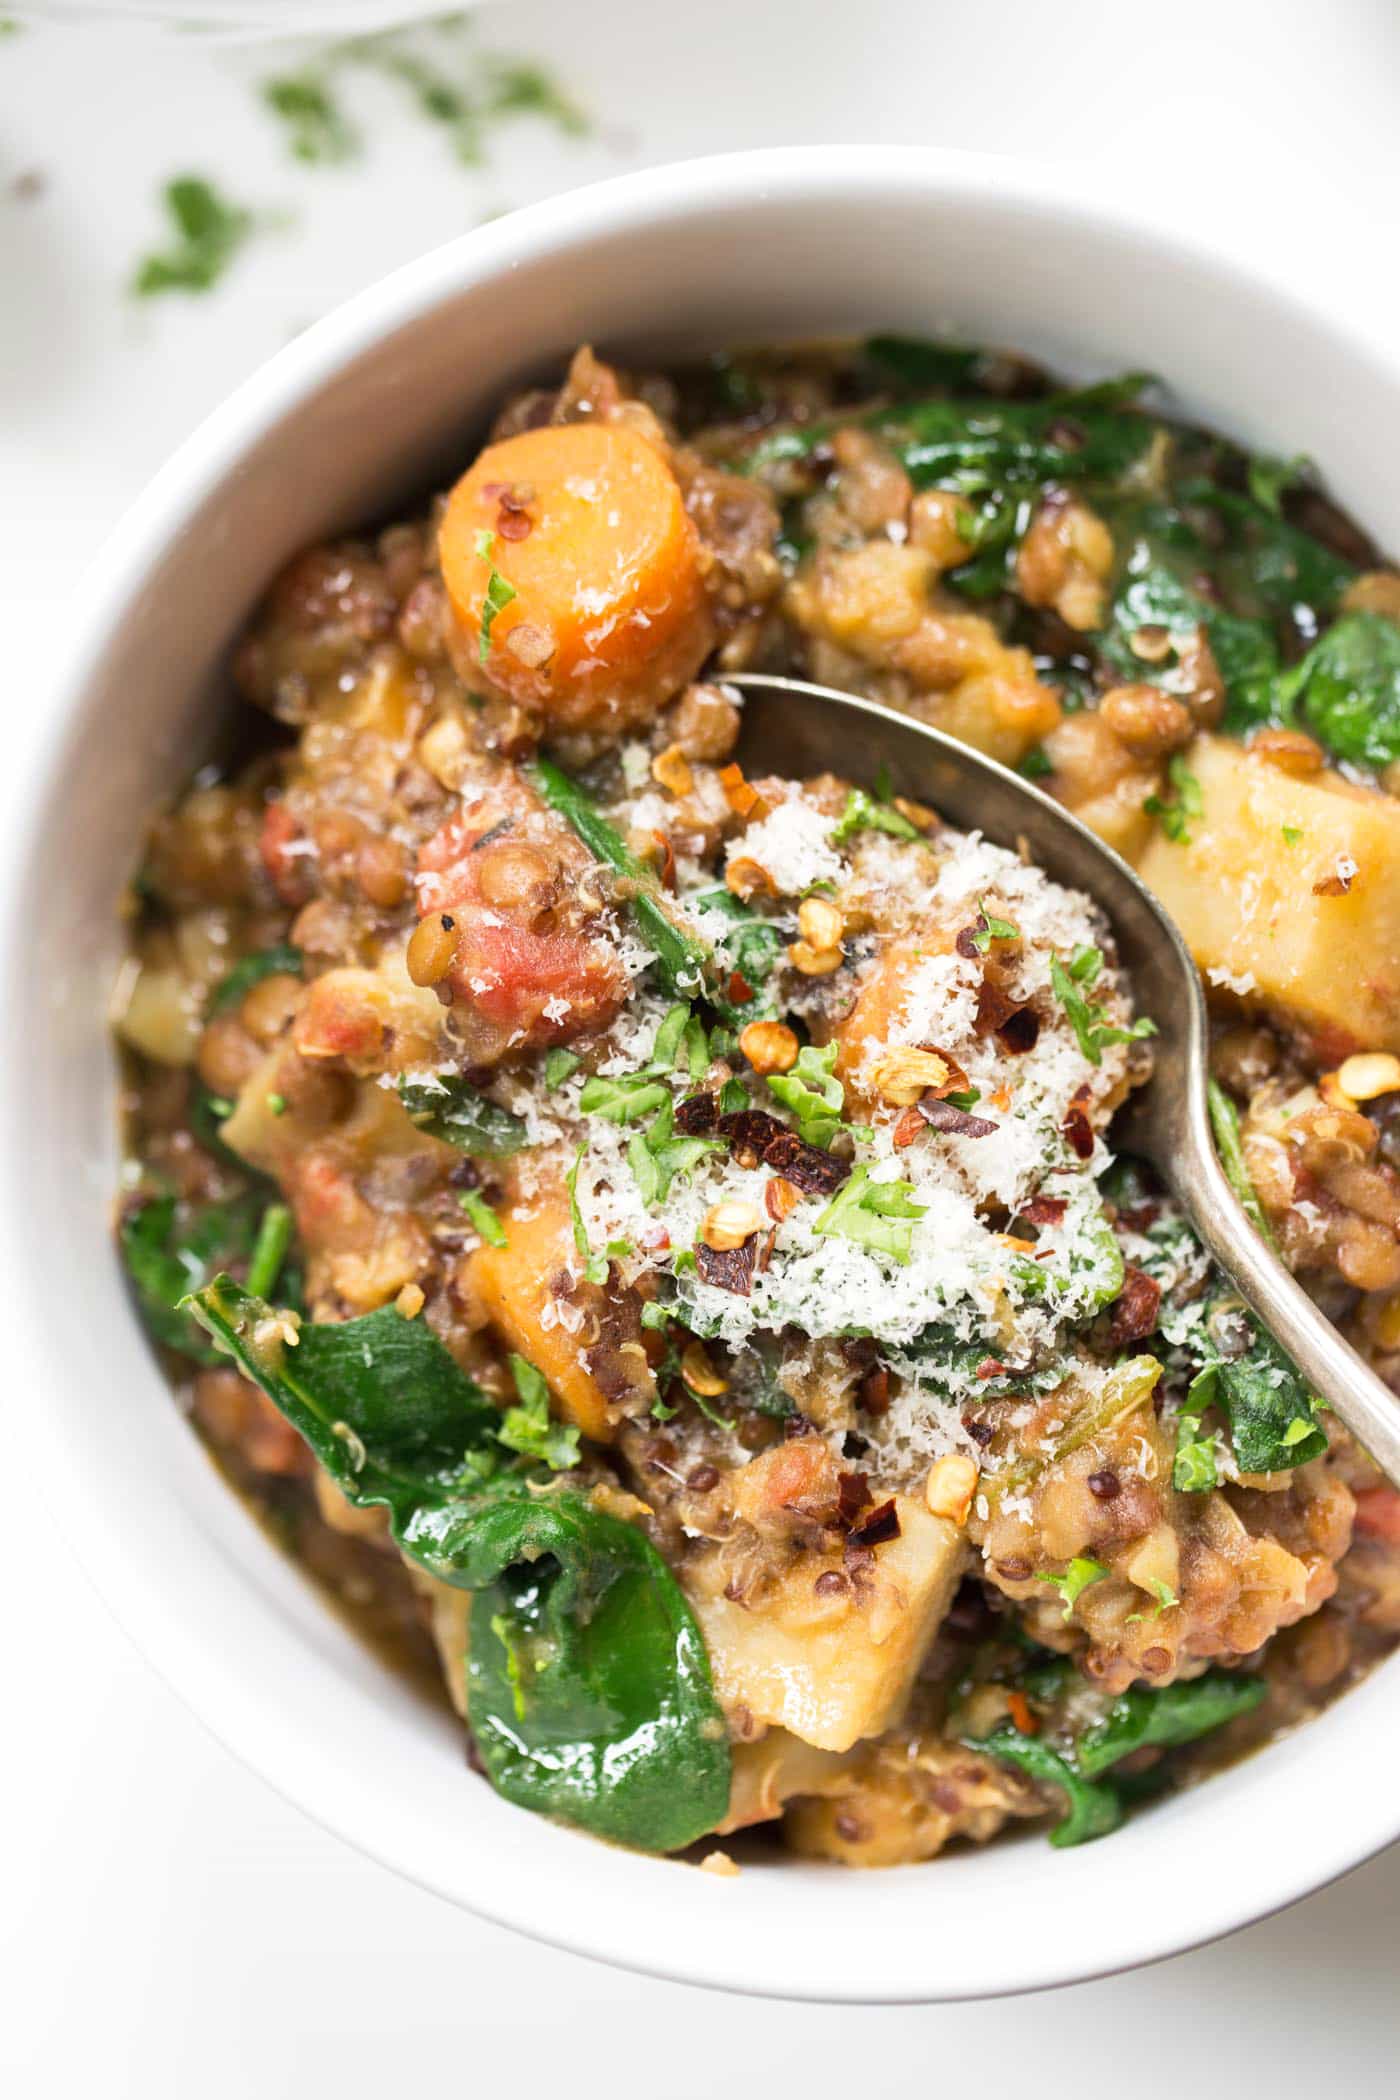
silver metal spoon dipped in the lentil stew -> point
(799, 730)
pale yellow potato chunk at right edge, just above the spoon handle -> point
(1244, 889)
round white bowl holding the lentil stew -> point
(366, 411)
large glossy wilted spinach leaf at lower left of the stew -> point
(589, 1683)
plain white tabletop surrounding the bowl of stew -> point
(167, 1925)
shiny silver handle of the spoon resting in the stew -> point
(1332, 1366)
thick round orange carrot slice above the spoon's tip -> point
(576, 576)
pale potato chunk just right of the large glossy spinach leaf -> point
(832, 1668)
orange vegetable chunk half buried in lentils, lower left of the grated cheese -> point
(515, 1293)
